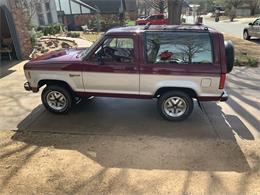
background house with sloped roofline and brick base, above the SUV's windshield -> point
(79, 12)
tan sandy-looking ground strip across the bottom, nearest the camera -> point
(33, 163)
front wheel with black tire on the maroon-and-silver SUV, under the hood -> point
(57, 99)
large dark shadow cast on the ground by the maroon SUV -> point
(130, 134)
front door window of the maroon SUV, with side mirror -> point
(115, 50)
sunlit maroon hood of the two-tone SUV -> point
(65, 55)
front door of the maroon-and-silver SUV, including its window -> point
(112, 68)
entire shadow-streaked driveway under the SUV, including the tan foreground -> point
(115, 146)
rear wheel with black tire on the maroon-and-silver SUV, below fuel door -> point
(175, 100)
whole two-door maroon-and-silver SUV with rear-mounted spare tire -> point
(174, 64)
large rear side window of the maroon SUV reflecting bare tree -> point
(178, 48)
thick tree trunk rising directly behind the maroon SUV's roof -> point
(175, 10)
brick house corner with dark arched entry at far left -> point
(15, 41)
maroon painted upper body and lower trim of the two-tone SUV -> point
(68, 60)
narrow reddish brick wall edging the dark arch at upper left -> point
(21, 29)
